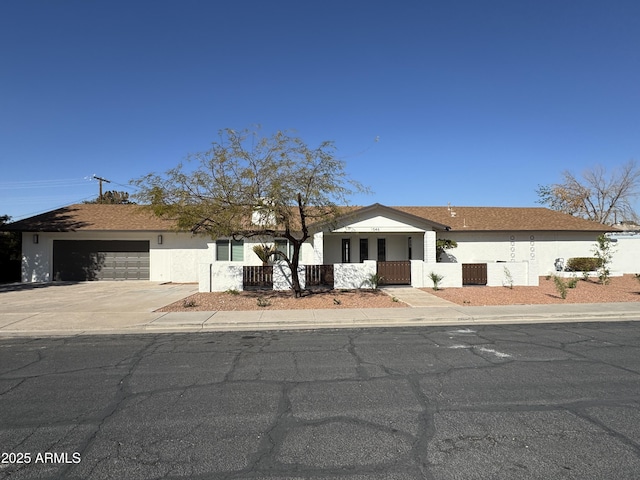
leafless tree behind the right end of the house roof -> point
(598, 196)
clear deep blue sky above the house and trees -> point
(474, 102)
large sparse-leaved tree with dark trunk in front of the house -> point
(250, 186)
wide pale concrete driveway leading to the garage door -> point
(58, 307)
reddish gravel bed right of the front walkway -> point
(620, 289)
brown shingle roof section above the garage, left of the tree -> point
(94, 217)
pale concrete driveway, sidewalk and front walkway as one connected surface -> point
(113, 307)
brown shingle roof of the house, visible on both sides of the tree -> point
(96, 217)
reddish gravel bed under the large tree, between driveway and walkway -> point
(270, 300)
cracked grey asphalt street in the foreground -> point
(552, 401)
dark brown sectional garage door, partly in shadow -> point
(81, 260)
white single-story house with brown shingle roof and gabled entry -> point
(94, 241)
